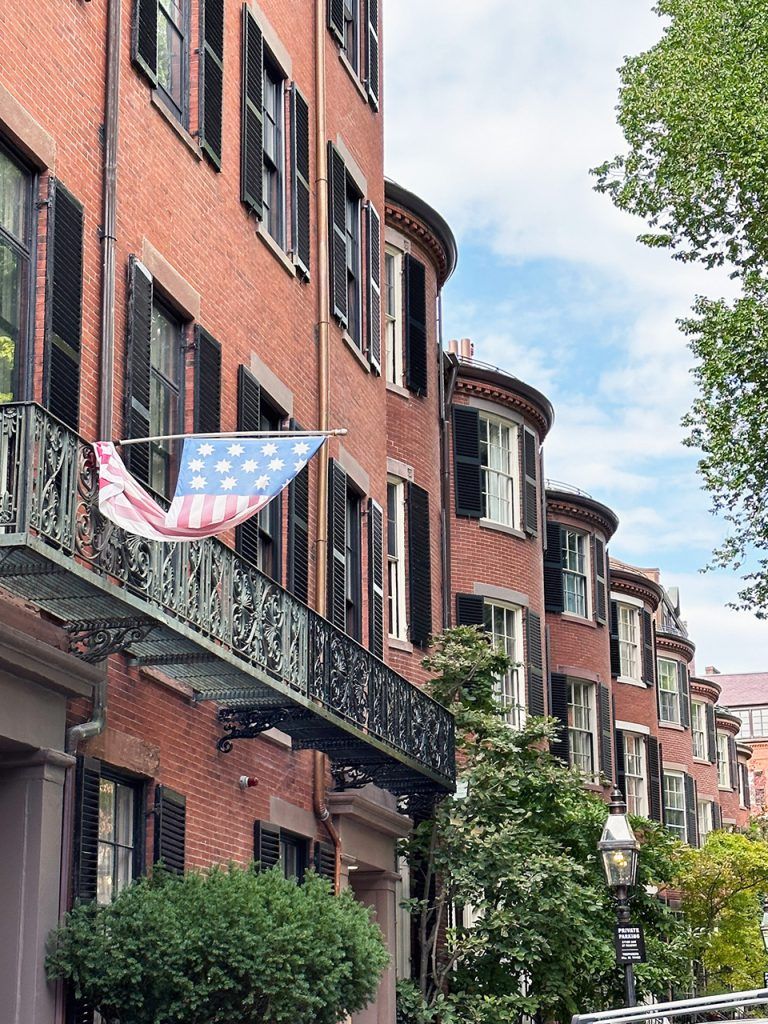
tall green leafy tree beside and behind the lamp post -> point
(519, 851)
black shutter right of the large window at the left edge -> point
(65, 307)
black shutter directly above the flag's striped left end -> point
(138, 367)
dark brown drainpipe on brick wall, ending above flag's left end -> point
(109, 227)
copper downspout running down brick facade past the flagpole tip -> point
(324, 377)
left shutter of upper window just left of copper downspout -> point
(252, 129)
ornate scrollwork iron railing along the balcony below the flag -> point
(49, 488)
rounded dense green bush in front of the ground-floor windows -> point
(225, 947)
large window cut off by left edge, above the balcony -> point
(16, 234)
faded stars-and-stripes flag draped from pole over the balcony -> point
(222, 483)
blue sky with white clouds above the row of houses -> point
(496, 110)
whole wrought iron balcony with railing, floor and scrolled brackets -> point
(204, 616)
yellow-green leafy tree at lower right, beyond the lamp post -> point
(722, 886)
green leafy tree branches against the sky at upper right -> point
(694, 114)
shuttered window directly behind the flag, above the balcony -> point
(165, 364)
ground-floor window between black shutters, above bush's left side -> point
(118, 815)
